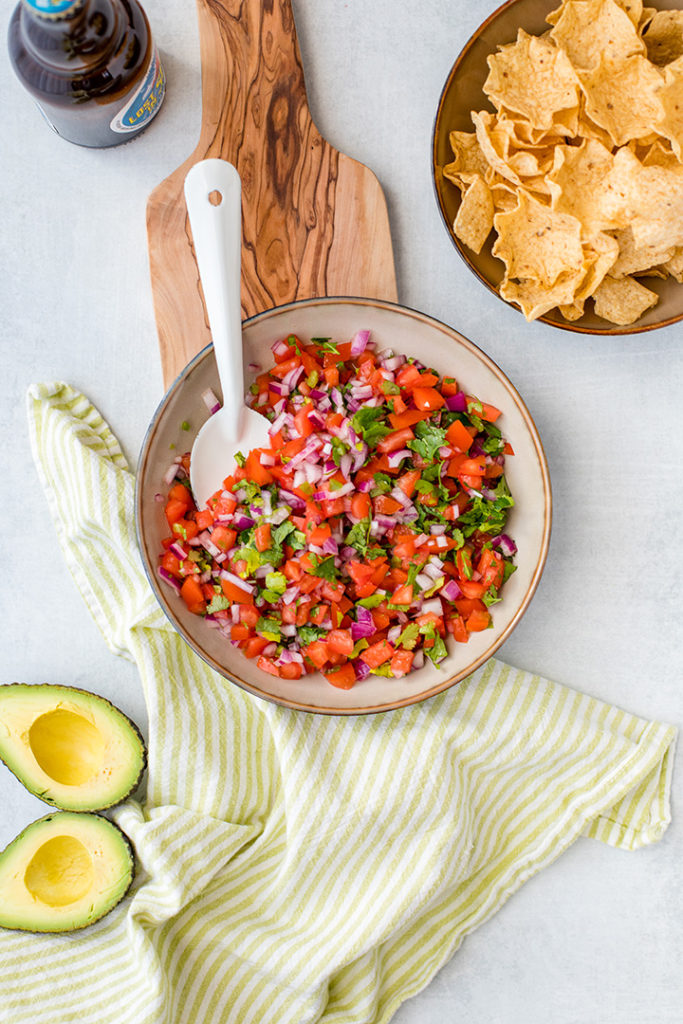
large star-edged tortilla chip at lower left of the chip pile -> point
(536, 243)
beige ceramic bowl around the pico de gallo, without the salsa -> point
(435, 345)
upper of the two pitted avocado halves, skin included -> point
(72, 749)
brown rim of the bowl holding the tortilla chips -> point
(576, 327)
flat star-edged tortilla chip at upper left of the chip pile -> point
(534, 78)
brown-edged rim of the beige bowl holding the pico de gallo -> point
(451, 680)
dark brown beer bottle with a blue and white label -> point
(92, 67)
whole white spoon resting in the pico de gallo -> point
(214, 195)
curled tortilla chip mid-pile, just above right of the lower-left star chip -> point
(577, 187)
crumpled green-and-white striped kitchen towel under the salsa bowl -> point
(294, 868)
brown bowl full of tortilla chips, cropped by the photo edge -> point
(559, 161)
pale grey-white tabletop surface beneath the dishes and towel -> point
(599, 937)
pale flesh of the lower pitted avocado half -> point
(63, 873)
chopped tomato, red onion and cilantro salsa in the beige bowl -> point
(368, 537)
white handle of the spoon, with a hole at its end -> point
(214, 195)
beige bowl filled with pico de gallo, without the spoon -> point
(386, 543)
